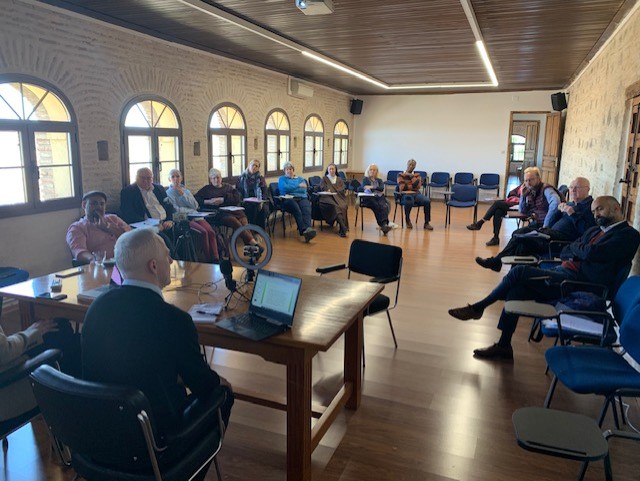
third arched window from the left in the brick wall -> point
(228, 134)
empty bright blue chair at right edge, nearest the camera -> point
(600, 370)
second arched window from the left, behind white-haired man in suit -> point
(152, 138)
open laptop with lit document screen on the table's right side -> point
(272, 307)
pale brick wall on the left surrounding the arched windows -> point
(99, 68)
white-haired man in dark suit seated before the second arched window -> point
(145, 200)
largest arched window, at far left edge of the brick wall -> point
(39, 148)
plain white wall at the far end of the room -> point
(461, 132)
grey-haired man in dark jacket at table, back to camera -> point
(132, 337)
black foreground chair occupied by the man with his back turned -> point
(110, 432)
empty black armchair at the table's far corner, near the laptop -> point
(383, 263)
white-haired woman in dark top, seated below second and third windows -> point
(216, 195)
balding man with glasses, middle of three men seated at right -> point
(570, 221)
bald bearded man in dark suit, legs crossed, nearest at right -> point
(597, 256)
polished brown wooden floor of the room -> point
(430, 411)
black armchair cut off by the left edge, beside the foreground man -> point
(9, 379)
